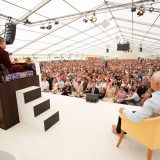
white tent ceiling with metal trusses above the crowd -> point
(75, 37)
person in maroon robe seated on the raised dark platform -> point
(5, 60)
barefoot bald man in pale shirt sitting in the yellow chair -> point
(150, 108)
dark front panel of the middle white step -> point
(42, 107)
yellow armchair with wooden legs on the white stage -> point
(146, 132)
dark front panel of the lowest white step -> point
(48, 123)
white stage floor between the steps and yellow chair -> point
(83, 133)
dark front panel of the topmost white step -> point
(32, 95)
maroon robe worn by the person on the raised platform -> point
(5, 60)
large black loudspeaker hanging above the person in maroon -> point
(10, 32)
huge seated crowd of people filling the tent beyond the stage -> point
(120, 81)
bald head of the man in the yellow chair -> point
(155, 81)
